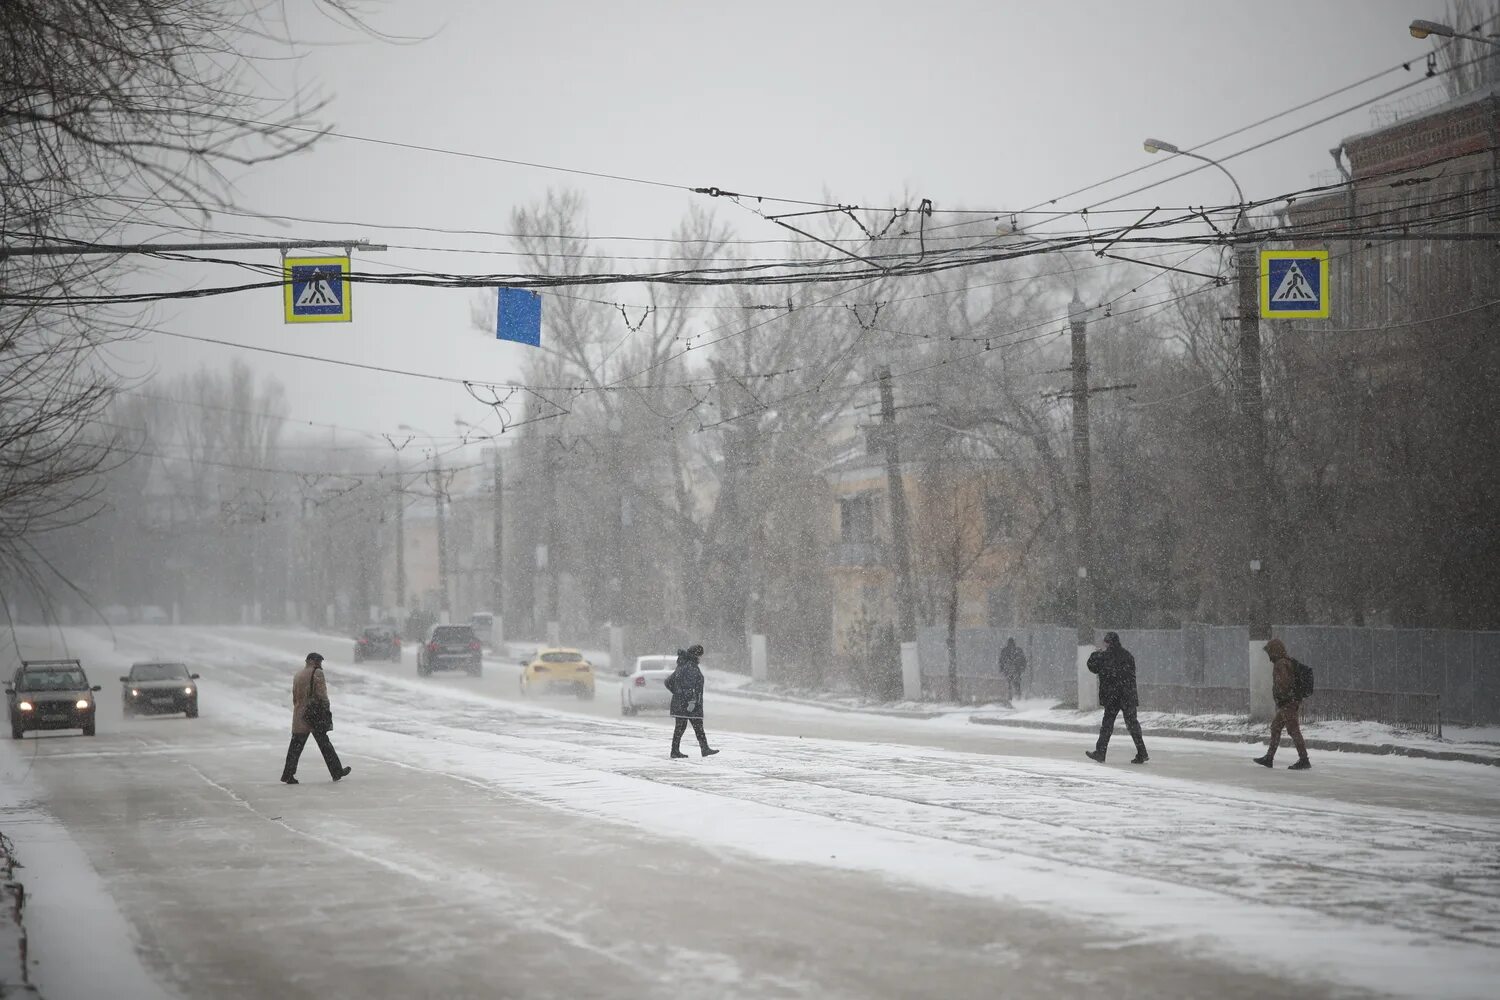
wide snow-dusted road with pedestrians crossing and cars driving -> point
(488, 846)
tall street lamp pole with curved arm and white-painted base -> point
(1253, 430)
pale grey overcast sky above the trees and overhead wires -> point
(986, 104)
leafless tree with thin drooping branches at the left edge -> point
(106, 104)
